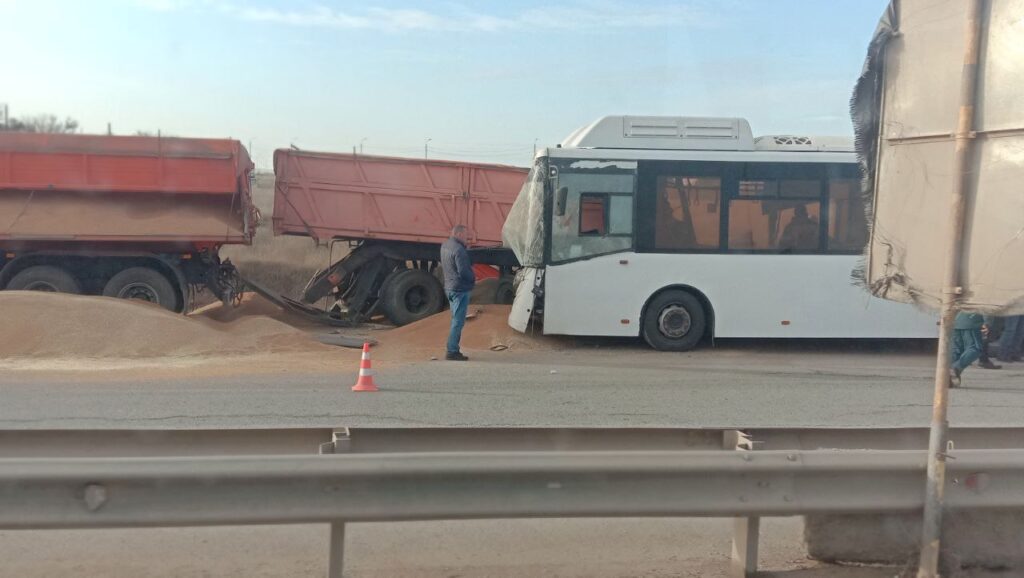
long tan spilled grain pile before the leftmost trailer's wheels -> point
(52, 325)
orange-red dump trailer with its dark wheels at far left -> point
(124, 217)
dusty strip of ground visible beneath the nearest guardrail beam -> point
(500, 549)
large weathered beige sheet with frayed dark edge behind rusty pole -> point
(905, 111)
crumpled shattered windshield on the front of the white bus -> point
(524, 230)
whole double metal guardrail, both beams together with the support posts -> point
(428, 474)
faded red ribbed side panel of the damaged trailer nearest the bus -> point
(357, 197)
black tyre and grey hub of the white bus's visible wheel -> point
(675, 321)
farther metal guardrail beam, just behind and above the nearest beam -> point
(155, 443)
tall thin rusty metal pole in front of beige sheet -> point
(953, 288)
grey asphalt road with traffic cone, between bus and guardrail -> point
(740, 385)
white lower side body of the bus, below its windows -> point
(753, 296)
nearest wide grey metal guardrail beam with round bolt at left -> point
(99, 493)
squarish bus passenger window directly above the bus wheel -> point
(687, 213)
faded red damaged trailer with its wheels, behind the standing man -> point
(396, 214)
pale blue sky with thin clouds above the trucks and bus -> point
(483, 80)
